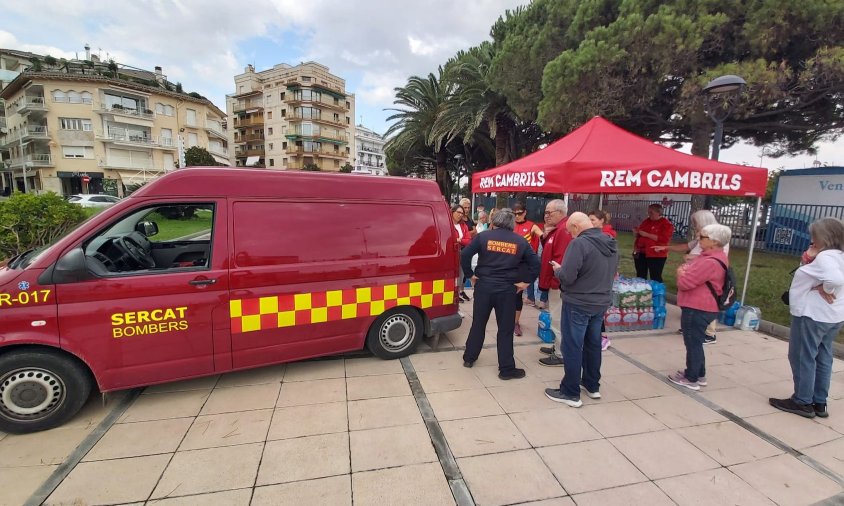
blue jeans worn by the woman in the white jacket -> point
(810, 356)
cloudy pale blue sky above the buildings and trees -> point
(375, 45)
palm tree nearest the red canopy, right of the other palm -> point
(473, 107)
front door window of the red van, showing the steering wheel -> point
(154, 239)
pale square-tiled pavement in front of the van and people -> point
(351, 431)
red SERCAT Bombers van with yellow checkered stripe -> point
(205, 271)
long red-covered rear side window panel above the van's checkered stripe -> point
(329, 232)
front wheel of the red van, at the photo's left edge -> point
(40, 390)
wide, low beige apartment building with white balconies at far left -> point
(85, 126)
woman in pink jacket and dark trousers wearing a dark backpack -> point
(699, 306)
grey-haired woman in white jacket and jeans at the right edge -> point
(816, 300)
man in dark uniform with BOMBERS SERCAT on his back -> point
(506, 265)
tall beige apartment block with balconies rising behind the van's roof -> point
(291, 117)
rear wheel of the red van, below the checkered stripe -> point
(395, 334)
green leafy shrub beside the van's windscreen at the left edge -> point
(30, 221)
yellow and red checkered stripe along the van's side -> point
(289, 310)
